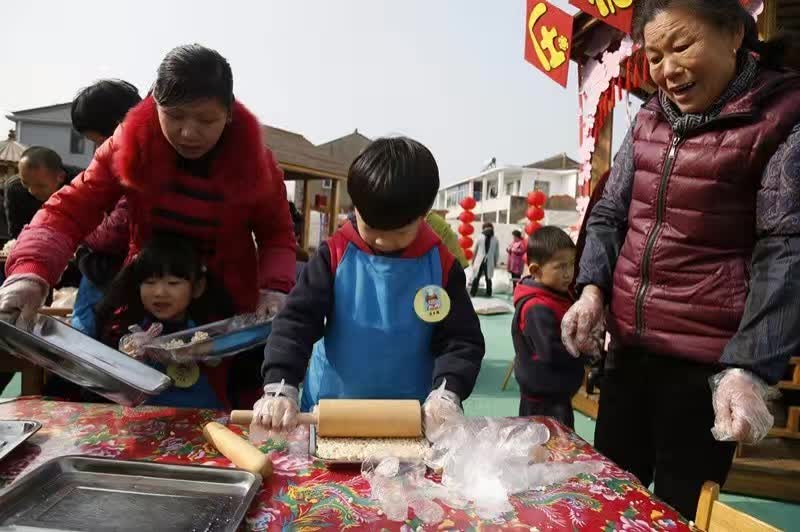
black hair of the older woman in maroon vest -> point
(727, 15)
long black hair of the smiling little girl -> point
(165, 255)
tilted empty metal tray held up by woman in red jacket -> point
(59, 348)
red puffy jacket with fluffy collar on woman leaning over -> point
(241, 196)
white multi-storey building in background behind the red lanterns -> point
(501, 193)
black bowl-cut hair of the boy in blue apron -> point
(393, 182)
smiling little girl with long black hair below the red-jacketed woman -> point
(166, 289)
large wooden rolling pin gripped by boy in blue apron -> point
(357, 418)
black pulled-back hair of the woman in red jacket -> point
(192, 72)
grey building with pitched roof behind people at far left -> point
(51, 127)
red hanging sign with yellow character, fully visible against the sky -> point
(548, 38)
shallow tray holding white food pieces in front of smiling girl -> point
(225, 338)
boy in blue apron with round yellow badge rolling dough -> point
(381, 310)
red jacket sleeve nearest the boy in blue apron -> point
(274, 232)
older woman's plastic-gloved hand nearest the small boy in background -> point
(583, 327)
